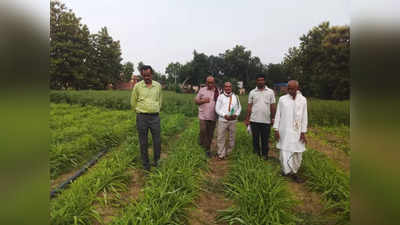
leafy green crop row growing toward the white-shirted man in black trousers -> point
(260, 194)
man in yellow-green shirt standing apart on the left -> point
(146, 102)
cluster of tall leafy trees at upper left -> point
(79, 60)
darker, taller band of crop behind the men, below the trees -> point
(320, 112)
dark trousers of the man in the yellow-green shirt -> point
(144, 122)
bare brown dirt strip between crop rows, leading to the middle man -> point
(212, 197)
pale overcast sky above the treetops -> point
(160, 32)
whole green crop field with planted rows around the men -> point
(188, 187)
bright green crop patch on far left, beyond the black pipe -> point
(78, 133)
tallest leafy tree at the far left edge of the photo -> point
(69, 48)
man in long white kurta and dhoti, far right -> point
(290, 126)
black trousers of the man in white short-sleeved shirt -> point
(260, 131)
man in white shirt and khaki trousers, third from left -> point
(228, 109)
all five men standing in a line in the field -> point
(288, 119)
